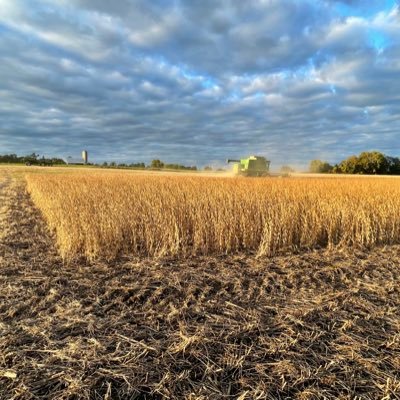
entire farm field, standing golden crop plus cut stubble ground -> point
(117, 285)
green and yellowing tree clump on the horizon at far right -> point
(368, 163)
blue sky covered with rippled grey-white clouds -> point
(200, 81)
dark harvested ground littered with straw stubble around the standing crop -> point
(321, 325)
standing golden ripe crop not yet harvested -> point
(105, 215)
